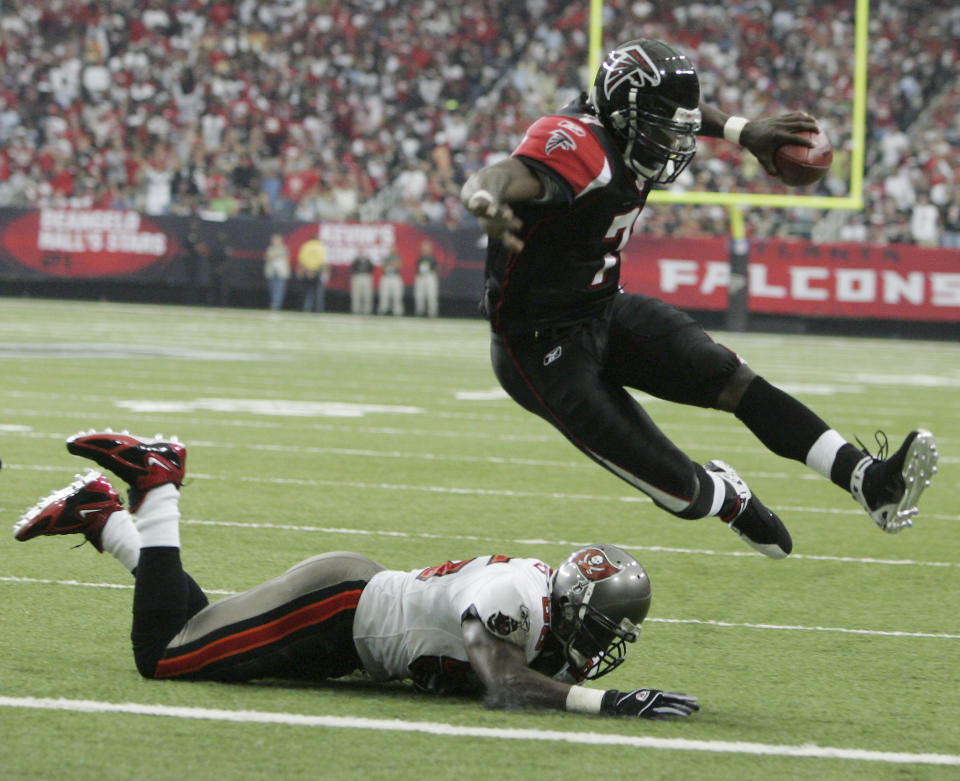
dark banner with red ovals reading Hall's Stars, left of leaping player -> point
(118, 245)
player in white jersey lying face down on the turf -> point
(512, 628)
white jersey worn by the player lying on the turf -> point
(407, 624)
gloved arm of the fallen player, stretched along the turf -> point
(510, 683)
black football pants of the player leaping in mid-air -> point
(576, 378)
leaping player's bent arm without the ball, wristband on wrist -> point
(488, 193)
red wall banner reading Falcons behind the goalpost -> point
(901, 282)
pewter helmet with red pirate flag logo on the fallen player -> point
(599, 597)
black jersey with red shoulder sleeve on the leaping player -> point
(569, 267)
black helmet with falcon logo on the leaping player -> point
(647, 95)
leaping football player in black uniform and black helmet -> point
(567, 342)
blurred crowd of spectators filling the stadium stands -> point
(379, 109)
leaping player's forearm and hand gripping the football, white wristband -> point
(762, 137)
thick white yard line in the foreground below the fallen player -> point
(459, 731)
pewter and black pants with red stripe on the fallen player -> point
(296, 626)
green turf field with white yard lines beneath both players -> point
(389, 437)
